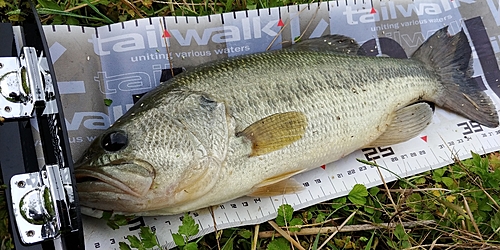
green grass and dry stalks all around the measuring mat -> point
(455, 207)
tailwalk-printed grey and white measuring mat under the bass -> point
(123, 60)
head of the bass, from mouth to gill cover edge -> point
(156, 158)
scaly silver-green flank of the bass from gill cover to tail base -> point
(366, 109)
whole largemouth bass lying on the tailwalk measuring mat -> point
(245, 125)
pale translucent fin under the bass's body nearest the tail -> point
(408, 122)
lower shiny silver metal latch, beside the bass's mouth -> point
(43, 202)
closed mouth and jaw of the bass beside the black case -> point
(120, 177)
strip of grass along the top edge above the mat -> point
(102, 12)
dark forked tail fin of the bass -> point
(450, 57)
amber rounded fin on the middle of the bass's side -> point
(275, 132)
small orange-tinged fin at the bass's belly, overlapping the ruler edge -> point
(278, 185)
